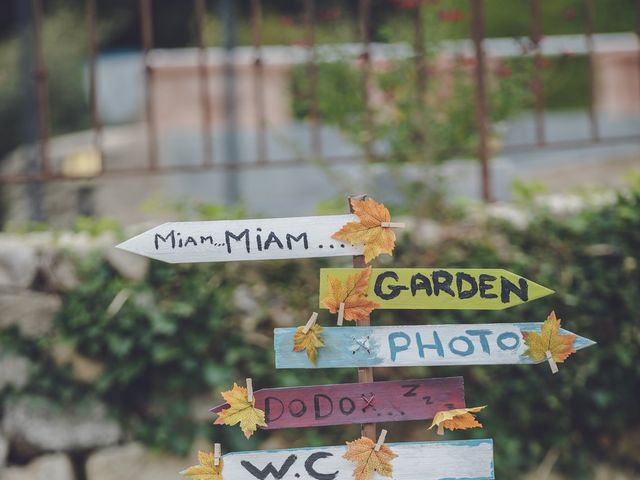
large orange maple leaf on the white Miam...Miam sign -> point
(369, 230)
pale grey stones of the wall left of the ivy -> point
(39, 440)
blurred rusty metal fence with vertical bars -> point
(44, 171)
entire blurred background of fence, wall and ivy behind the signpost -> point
(505, 133)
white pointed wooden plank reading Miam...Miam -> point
(255, 239)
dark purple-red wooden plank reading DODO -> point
(390, 401)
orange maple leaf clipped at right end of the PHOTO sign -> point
(549, 340)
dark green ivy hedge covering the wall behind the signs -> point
(180, 336)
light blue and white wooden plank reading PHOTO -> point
(428, 345)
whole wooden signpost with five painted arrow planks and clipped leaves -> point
(352, 294)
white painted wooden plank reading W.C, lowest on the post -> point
(454, 460)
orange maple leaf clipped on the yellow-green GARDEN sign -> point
(352, 293)
